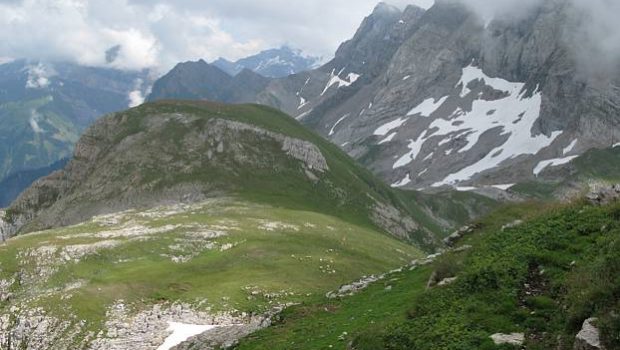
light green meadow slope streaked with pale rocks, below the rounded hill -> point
(232, 253)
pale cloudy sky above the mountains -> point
(138, 34)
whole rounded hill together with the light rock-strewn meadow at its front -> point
(181, 213)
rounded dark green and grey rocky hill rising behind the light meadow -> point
(187, 151)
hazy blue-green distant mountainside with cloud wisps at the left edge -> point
(44, 107)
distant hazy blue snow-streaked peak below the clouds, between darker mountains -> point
(273, 63)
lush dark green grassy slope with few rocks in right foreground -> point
(542, 278)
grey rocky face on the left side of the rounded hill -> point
(94, 176)
